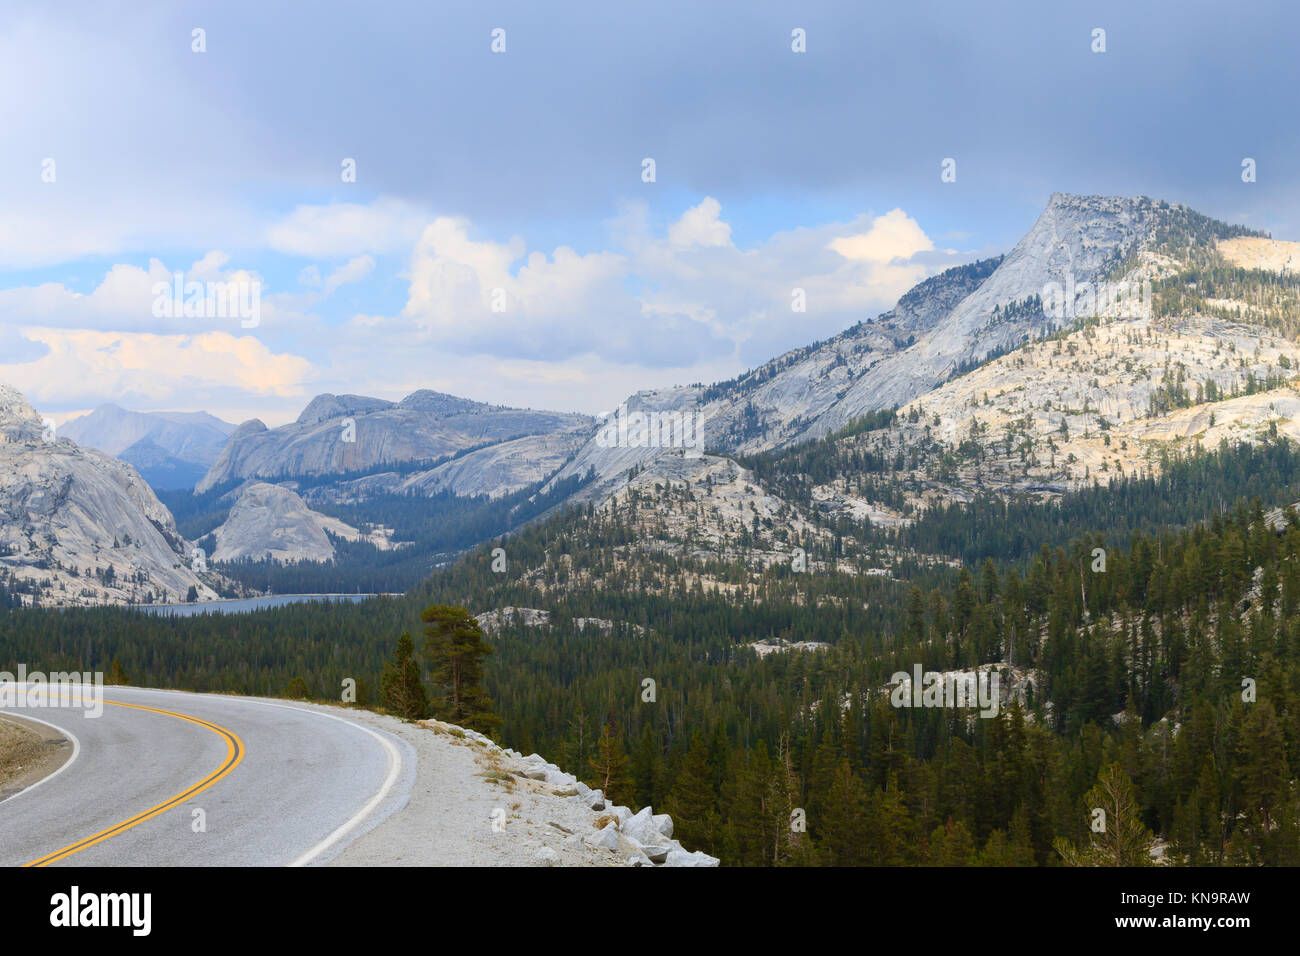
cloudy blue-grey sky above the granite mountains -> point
(457, 196)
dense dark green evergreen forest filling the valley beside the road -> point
(1165, 678)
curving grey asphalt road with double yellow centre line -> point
(278, 784)
